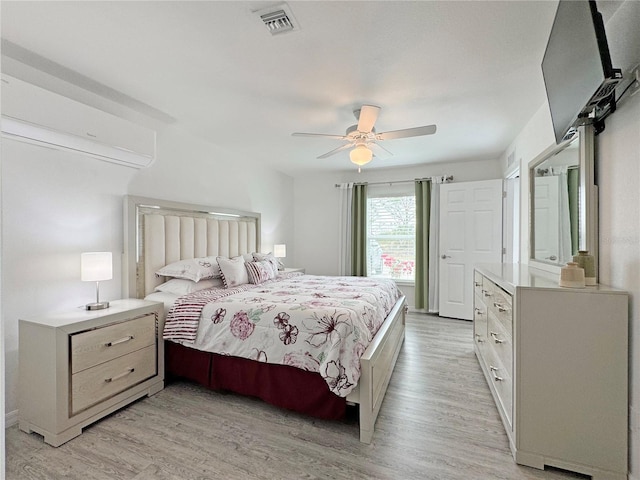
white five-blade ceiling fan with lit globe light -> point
(362, 138)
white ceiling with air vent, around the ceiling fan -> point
(471, 67)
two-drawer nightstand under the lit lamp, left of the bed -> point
(78, 366)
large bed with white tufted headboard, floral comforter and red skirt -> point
(158, 233)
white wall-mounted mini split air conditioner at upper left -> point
(35, 115)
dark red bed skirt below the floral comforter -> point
(280, 385)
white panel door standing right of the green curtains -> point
(470, 233)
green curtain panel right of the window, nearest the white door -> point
(423, 212)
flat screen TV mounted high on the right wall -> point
(577, 71)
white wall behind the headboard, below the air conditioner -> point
(58, 204)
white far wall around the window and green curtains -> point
(317, 208)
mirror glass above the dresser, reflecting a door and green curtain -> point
(556, 182)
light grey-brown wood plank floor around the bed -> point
(438, 421)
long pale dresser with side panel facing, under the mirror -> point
(556, 361)
